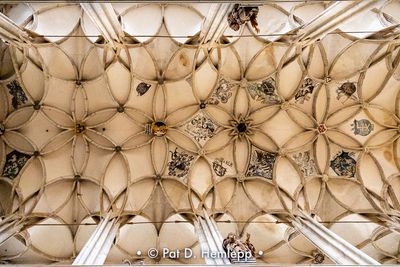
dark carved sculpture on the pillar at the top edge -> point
(239, 15)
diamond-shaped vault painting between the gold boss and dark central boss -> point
(201, 128)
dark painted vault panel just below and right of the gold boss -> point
(180, 163)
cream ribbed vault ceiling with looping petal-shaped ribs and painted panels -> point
(252, 129)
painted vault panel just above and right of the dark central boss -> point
(264, 91)
